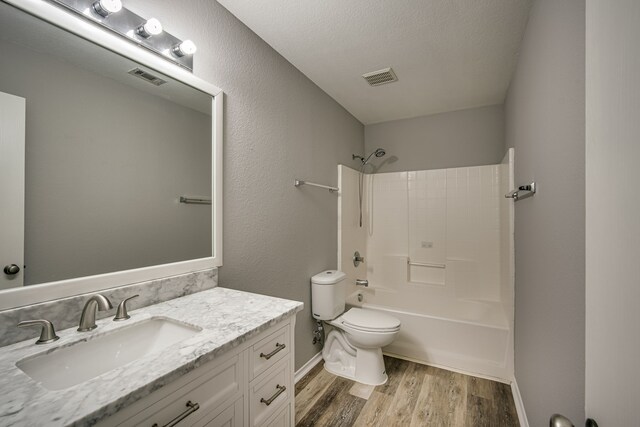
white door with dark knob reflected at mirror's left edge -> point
(12, 134)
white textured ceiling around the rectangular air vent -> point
(448, 54)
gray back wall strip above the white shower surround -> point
(456, 139)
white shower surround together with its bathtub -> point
(461, 316)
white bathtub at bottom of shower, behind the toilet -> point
(463, 335)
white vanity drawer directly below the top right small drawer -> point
(267, 395)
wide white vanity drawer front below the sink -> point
(210, 390)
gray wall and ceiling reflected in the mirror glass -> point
(103, 182)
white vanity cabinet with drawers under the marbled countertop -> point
(250, 385)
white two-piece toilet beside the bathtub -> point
(353, 349)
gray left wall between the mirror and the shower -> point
(278, 126)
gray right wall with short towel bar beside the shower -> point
(545, 122)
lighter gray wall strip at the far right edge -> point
(612, 226)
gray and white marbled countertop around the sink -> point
(227, 318)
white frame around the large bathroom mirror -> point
(32, 294)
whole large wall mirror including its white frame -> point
(114, 138)
